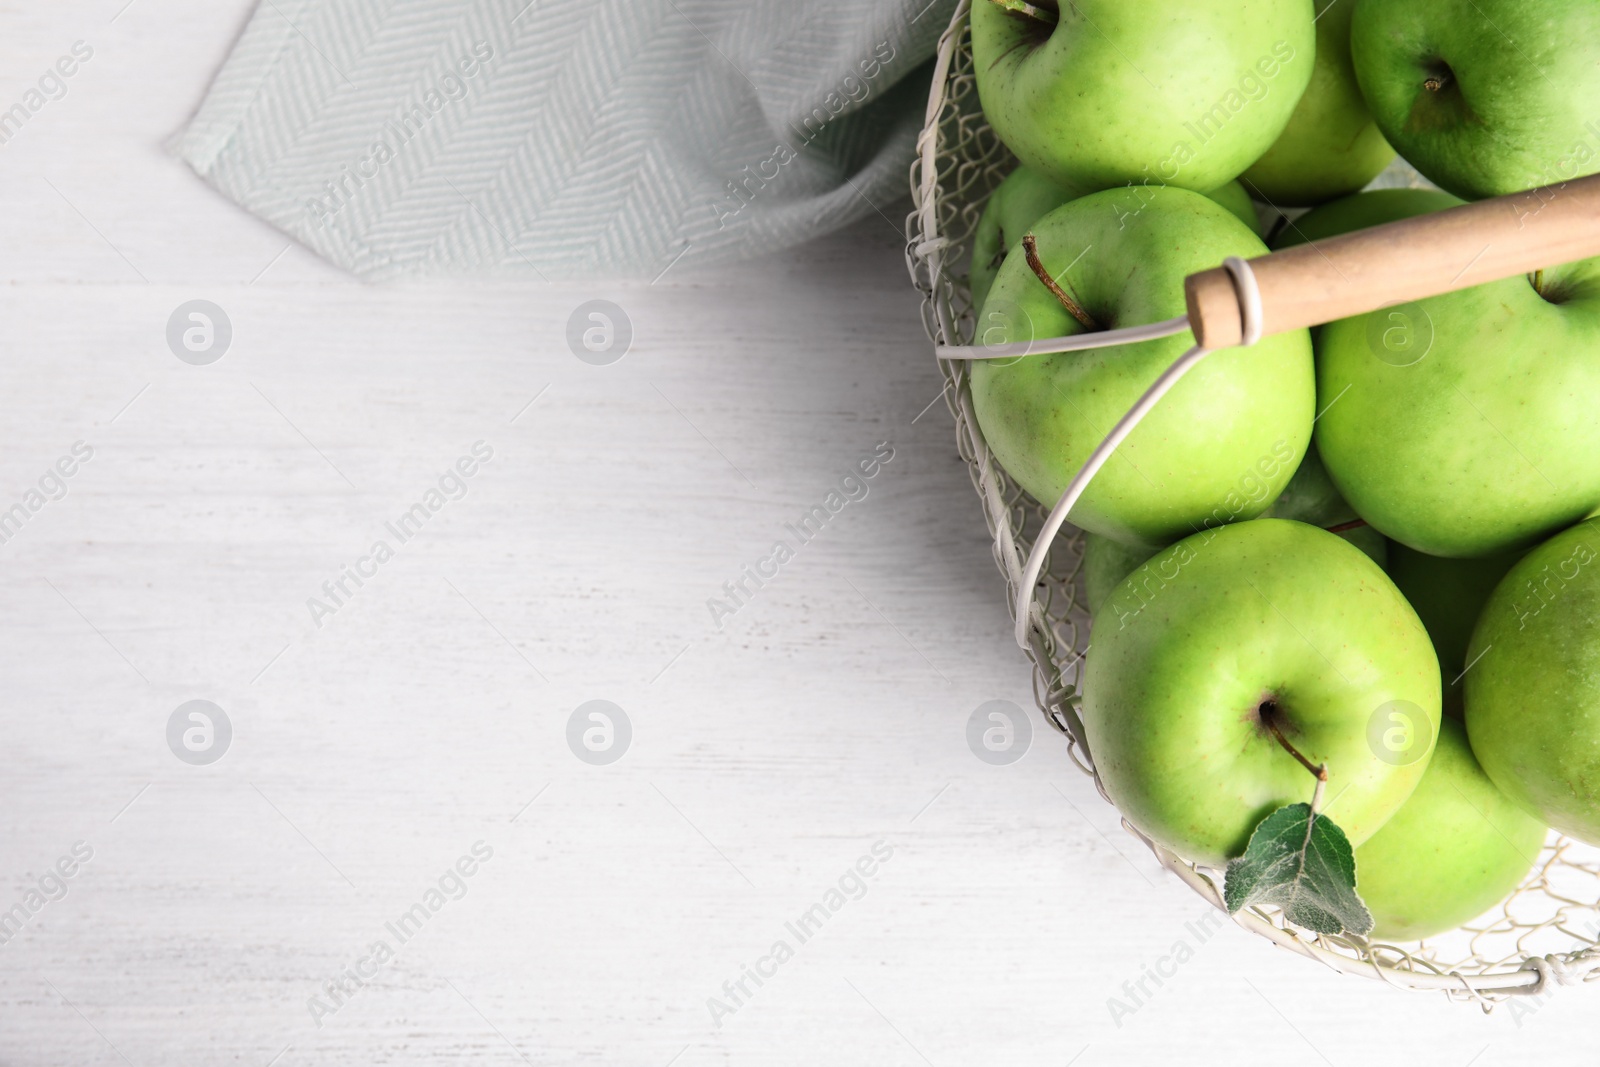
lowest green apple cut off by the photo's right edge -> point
(1534, 693)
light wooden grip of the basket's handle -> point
(1404, 262)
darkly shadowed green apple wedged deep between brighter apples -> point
(1449, 596)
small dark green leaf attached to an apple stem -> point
(1303, 863)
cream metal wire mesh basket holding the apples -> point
(1546, 933)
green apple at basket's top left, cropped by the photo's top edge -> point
(1105, 94)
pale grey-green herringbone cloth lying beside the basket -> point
(566, 138)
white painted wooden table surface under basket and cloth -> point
(431, 711)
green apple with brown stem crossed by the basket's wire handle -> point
(1241, 417)
